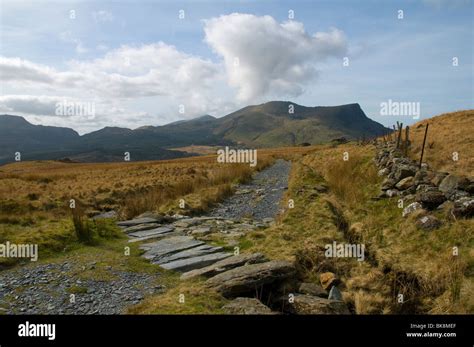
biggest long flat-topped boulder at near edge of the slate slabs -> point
(247, 279)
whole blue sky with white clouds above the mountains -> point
(133, 63)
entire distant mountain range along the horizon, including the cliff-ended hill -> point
(267, 125)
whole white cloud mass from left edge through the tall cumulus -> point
(256, 57)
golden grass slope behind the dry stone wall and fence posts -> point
(447, 133)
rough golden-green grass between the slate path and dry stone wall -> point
(400, 258)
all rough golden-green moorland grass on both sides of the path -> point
(333, 202)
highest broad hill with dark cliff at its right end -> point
(271, 125)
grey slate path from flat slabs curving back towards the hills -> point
(178, 247)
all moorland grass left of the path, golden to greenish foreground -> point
(35, 196)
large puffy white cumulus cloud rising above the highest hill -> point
(262, 56)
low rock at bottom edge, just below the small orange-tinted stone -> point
(307, 304)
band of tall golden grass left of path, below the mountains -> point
(44, 186)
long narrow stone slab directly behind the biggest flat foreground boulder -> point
(225, 265)
